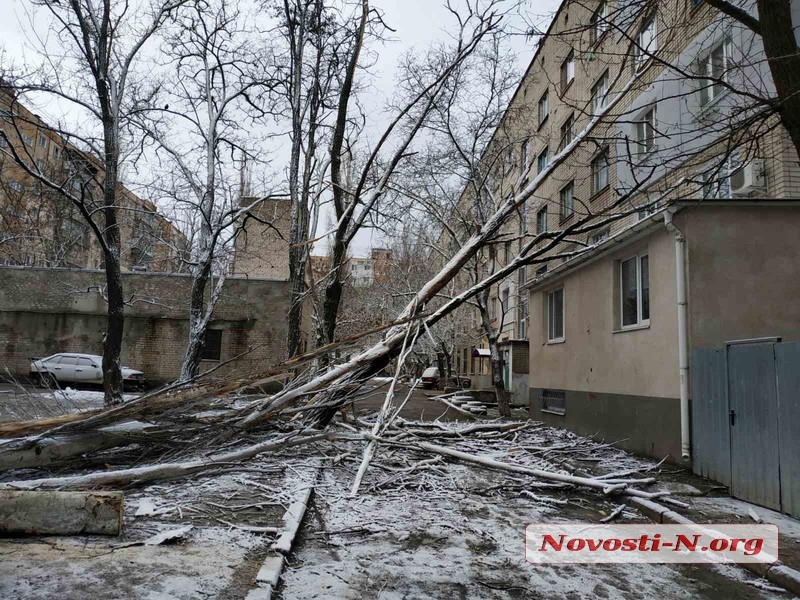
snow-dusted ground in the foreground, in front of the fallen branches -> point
(439, 530)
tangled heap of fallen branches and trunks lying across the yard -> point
(203, 426)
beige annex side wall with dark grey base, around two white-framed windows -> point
(620, 385)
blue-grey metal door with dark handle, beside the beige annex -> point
(753, 415)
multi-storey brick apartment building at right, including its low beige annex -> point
(668, 213)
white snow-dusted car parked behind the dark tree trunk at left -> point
(79, 369)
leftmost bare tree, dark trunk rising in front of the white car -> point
(93, 69)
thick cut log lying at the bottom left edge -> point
(60, 513)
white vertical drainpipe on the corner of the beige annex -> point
(683, 339)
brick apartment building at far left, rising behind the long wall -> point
(40, 227)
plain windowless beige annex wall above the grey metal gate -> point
(743, 273)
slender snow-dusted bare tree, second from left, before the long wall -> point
(198, 122)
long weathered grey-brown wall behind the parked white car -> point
(44, 311)
